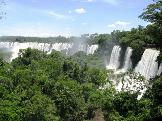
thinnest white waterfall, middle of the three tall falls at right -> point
(127, 59)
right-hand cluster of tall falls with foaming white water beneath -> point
(125, 81)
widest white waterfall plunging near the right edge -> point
(148, 67)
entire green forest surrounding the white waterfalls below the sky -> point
(37, 86)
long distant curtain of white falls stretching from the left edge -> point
(14, 47)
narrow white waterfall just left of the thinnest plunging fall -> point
(115, 57)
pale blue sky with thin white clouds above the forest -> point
(70, 17)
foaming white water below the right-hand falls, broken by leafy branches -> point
(127, 82)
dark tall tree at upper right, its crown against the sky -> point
(153, 14)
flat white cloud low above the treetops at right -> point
(121, 25)
